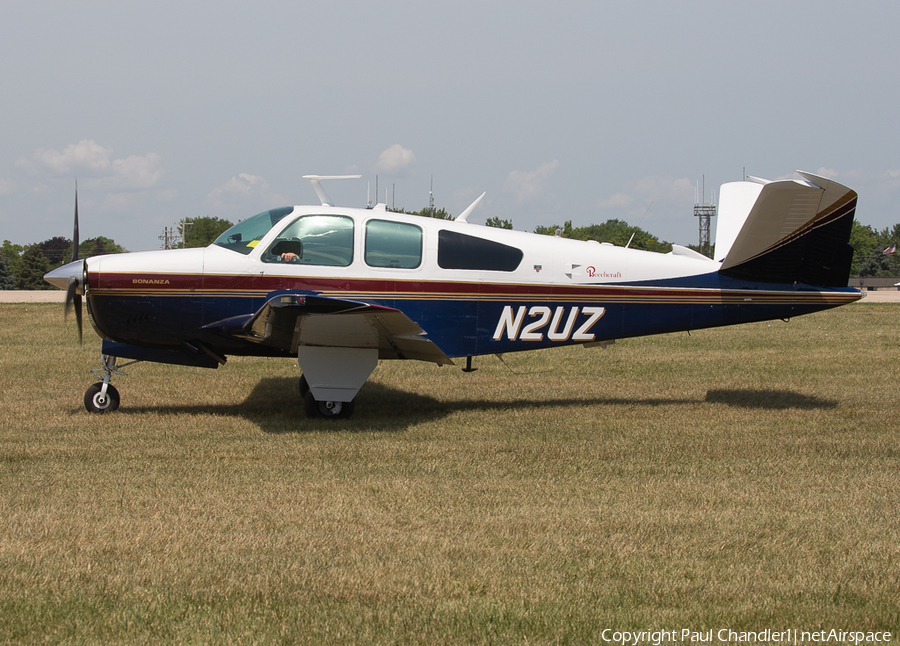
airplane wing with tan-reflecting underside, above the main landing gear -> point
(288, 321)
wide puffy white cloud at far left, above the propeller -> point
(96, 162)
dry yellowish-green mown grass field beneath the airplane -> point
(742, 478)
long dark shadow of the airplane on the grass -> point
(274, 405)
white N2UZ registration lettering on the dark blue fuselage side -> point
(511, 322)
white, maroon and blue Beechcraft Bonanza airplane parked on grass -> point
(341, 288)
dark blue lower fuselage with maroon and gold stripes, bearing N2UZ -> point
(462, 319)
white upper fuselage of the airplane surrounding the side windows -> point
(546, 260)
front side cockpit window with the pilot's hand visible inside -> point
(314, 240)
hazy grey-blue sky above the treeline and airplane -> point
(581, 111)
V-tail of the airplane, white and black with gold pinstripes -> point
(794, 231)
